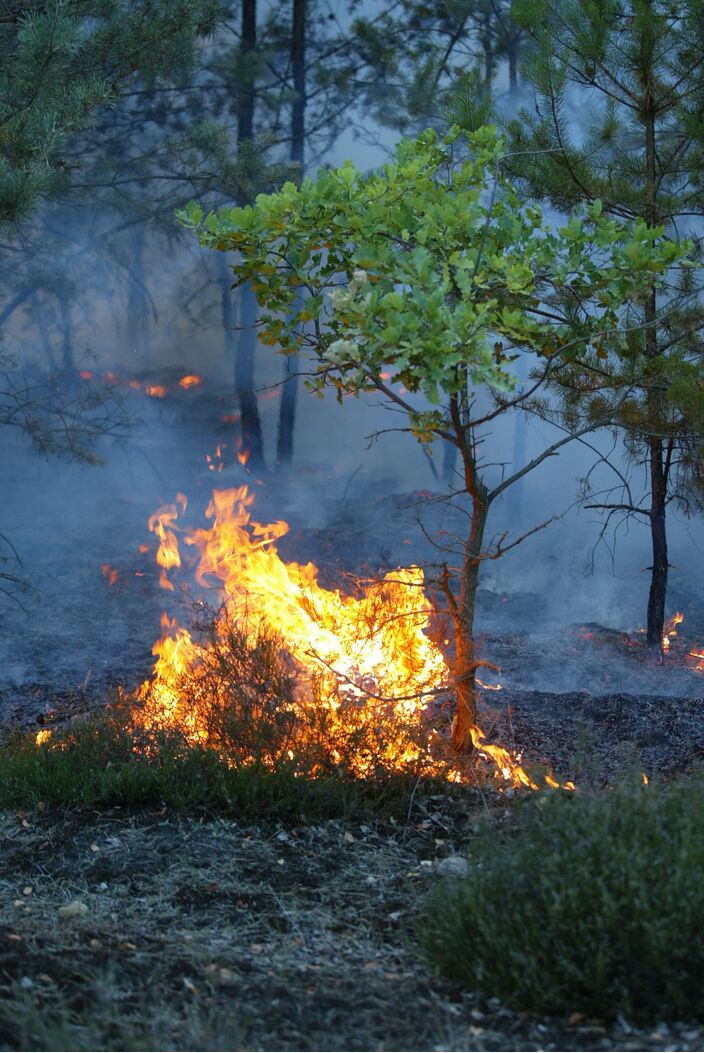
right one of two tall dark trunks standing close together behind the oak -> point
(290, 390)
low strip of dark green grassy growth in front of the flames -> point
(103, 763)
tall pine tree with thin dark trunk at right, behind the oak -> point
(634, 71)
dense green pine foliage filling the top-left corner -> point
(64, 63)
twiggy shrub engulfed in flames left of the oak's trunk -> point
(242, 694)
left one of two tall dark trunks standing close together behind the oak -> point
(253, 444)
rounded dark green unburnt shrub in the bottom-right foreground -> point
(592, 904)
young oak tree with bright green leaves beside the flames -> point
(431, 274)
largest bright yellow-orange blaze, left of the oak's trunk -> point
(367, 674)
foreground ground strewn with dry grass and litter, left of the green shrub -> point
(125, 932)
